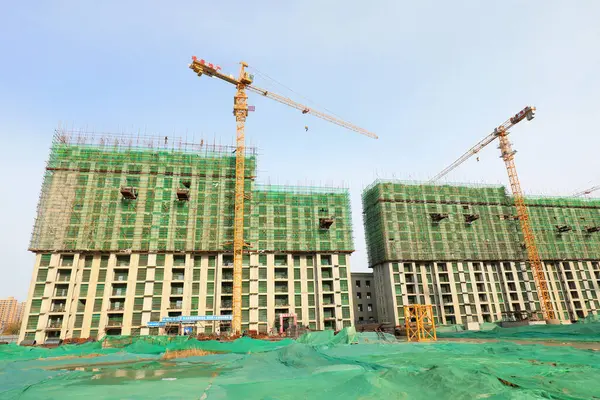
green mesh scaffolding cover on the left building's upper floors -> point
(82, 207)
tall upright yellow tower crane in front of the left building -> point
(240, 111)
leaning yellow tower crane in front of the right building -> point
(508, 154)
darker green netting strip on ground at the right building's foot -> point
(580, 332)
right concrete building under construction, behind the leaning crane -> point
(460, 248)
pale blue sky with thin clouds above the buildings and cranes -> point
(431, 78)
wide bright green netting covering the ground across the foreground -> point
(318, 365)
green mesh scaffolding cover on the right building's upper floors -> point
(479, 223)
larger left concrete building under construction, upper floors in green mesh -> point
(131, 230)
